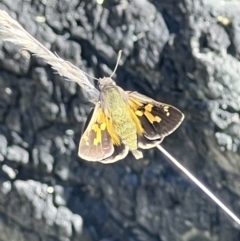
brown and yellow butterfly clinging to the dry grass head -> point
(123, 122)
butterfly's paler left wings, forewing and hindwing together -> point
(96, 142)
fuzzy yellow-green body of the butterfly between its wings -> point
(115, 108)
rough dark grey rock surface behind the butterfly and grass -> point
(183, 52)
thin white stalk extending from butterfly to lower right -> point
(200, 185)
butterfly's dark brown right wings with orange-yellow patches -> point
(157, 119)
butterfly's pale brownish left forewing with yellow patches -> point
(95, 143)
